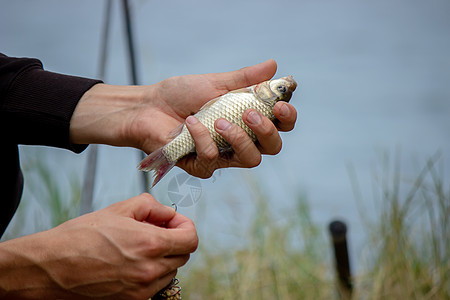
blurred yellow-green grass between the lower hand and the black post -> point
(270, 267)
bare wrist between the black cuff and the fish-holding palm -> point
(104, 113)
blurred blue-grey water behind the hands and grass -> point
(373, 102)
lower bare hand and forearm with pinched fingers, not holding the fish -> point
(129, 250)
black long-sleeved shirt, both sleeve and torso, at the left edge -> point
(35, 109)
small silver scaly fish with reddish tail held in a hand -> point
(231, 106)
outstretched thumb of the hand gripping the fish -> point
(246, 76)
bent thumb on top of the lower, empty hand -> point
(143, 208)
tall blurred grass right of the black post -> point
(410, 241)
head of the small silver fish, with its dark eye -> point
(276, 90)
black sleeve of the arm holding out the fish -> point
(36, 105)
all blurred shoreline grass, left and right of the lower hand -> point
(406, 254)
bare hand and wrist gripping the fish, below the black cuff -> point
(146, 121)
